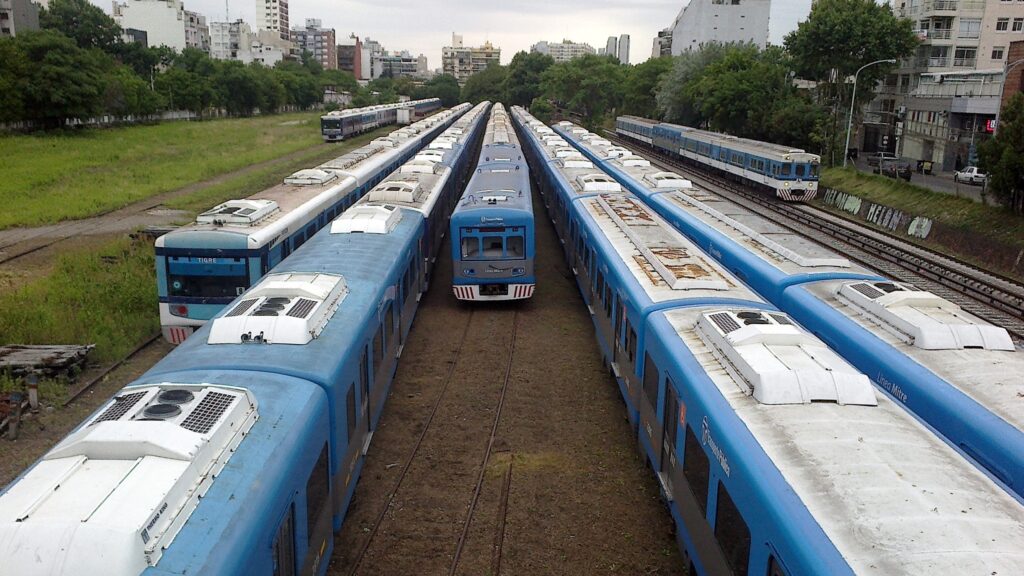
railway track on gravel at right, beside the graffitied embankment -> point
(996, 299)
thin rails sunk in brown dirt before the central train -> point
(433, 425)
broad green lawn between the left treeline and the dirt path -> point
(54, 178)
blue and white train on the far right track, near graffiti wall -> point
(787, 173)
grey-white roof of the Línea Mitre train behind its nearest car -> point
(790, 253)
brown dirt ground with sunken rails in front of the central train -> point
(578, 501)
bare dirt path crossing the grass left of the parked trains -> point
(150, 212)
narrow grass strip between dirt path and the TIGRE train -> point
(249, 184)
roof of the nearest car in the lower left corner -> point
(115, 493)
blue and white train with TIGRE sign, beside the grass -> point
(203, 267)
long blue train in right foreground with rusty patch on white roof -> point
(775, 456)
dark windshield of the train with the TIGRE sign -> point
(206, 278)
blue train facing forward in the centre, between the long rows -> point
(493, 246)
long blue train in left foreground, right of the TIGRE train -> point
(238, 455)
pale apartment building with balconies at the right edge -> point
(941, 104)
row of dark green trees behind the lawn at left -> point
(77, 66)
